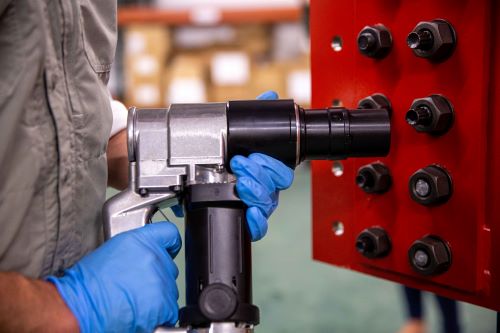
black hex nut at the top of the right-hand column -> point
(443, 40)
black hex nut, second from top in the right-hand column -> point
(441, 114)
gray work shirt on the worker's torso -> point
(55, 119)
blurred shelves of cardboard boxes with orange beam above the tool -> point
(210, 51)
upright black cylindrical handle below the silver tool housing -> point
(218, 258)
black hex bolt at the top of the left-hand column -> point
(374, 41)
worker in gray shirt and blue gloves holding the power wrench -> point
(56, 158)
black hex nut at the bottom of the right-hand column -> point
(438, 252)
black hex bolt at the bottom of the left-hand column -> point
(373, 243)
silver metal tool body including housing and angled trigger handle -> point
(168, 148)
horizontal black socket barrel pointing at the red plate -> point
(283, 130)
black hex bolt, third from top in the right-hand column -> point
(431, 185)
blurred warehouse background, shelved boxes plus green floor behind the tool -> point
(217, 50)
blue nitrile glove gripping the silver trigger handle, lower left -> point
(127, 284)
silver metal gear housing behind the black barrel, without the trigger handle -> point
(171, 143)
